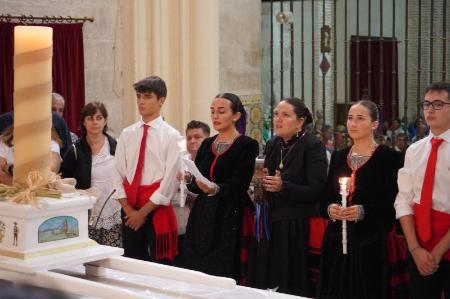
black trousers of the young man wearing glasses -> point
(432, 286)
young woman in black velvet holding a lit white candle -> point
(363, 272)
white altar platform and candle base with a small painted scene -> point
(48, 246)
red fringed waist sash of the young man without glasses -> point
(164, 220)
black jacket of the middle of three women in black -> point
(304, 174)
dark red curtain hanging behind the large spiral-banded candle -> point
(68, 68)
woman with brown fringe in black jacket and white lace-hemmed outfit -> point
(90, 161)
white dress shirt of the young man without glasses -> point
(162, 159)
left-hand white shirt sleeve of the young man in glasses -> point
(404, 201)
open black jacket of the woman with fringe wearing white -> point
(77, 162)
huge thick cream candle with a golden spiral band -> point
(32, 100)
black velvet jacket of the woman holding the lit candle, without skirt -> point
(375, 189)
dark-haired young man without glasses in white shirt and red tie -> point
(147, 160)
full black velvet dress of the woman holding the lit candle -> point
(364, 271)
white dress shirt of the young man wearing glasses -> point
(410, 177)
